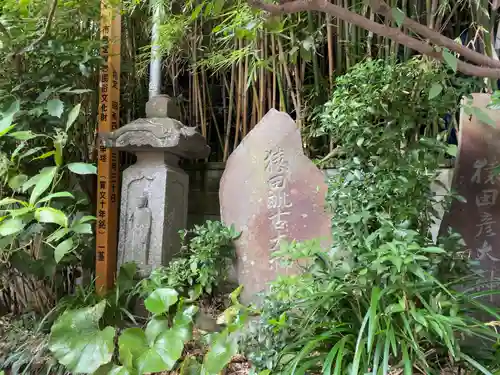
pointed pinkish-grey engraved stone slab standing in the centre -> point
(271, 192)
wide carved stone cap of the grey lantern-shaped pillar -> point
(160, 134)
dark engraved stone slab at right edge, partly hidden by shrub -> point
(478, 219)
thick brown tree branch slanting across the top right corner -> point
(392, 33)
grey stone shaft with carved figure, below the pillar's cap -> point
(148, 232)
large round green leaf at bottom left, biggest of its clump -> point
(77, 342)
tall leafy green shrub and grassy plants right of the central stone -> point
(385, 297)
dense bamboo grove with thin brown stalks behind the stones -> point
(227, 64)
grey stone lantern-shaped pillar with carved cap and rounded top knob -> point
(154, 193)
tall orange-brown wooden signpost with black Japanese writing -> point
(107, 166)
